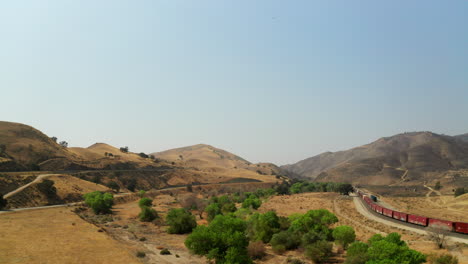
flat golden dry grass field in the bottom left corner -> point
(56, 236)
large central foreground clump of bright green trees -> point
(231, 239)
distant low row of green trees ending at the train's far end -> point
(303, 186)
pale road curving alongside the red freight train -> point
(364, 210)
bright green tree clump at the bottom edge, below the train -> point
(379, 249)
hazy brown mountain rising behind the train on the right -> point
(400, 158)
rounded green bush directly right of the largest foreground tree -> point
(263, 226)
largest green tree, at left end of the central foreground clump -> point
(223, 240)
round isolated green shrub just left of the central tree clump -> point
(180, 221)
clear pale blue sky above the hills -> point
(275, 81)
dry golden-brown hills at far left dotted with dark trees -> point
(23, 147)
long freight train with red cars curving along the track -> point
(458, 227)
